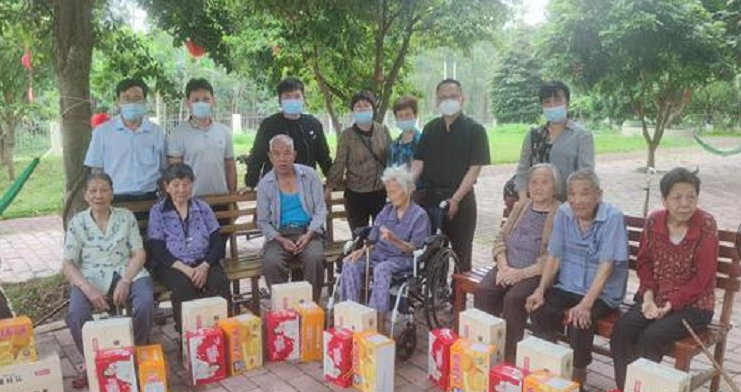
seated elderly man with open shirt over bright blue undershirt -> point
(291, 213)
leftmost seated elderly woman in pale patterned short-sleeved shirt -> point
(103, 261)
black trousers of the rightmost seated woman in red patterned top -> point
(635, 336)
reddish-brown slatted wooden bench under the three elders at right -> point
(727, 284)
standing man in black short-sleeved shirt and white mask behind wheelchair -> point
(448, 161)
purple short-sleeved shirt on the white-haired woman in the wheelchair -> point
(413, 227)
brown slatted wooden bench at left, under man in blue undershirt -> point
(240, 210)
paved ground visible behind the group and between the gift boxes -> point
(32, 247)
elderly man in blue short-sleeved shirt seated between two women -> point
(586, 272)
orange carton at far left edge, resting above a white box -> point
(16, 341)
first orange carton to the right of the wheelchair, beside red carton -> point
(470, 365)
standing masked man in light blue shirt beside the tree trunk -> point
(129, 147)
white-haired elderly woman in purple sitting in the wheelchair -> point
(398, 230)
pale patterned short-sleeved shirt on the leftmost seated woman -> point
(99, 255)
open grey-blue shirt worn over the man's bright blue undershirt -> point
(310, 191)
